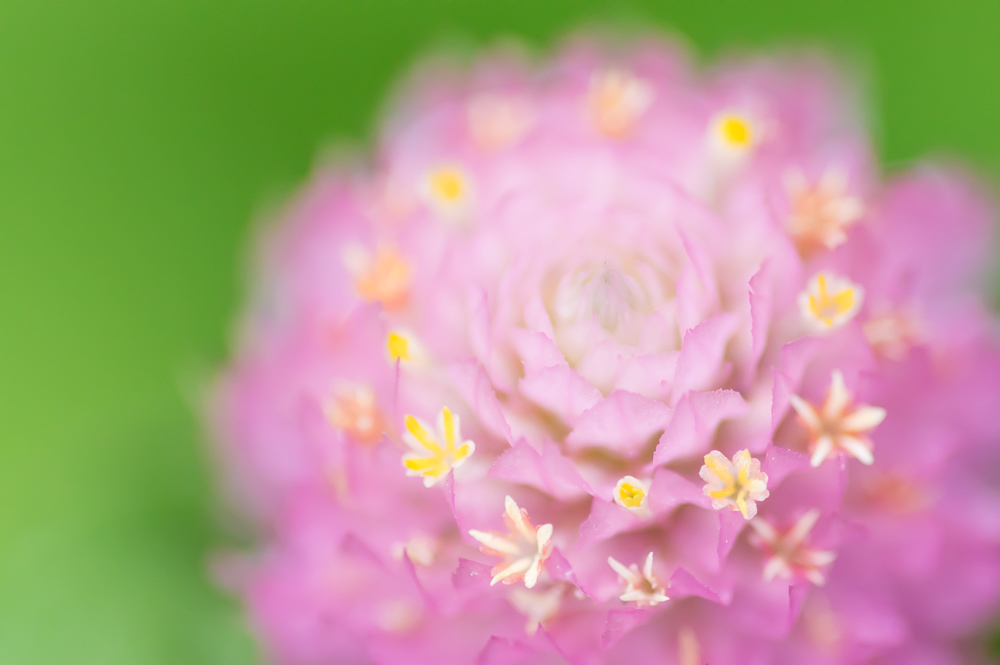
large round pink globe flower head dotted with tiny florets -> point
(608, 360)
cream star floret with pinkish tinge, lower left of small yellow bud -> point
(522, 550)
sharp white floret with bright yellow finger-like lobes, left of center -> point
(432, 457)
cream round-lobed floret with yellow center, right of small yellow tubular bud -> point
(738, 484)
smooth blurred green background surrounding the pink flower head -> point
(138, 142)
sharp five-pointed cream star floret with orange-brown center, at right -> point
(837, 424)
